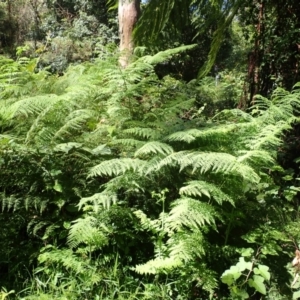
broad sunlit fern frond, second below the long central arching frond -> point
(190, 213)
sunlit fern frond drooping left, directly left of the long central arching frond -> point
(116, 167)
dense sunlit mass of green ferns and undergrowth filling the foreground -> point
(117, 184)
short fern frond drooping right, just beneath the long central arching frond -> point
(200, 188)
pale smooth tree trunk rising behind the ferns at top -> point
(129, 11)
